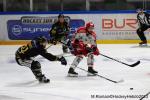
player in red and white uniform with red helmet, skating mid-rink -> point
(84, 45)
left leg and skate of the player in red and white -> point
(75, 63)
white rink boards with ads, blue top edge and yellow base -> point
(111, 26)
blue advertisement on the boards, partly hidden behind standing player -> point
(29, 27)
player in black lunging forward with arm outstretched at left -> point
(25, 57)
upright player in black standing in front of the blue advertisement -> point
(60, 31)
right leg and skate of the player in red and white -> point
(90, 63)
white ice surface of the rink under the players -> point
(18, 83)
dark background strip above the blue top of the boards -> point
(72, 5)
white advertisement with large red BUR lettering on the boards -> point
(119, 26)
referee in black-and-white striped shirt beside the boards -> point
(144, 23)
